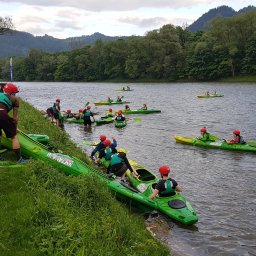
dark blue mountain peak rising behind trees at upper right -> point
(224, 11)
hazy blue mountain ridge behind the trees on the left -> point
(17, 43)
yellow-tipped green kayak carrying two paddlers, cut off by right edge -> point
(218, 143)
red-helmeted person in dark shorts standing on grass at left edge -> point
(9, 101)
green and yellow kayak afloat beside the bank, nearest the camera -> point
(175, 207)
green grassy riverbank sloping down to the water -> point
(45, 212)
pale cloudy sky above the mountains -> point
(71, 18)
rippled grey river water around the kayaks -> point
(221, 185)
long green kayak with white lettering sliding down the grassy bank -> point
(74, 166)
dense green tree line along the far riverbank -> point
(227, 48)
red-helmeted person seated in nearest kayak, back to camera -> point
(166, 186)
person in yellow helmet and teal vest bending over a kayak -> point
(119, 164)
